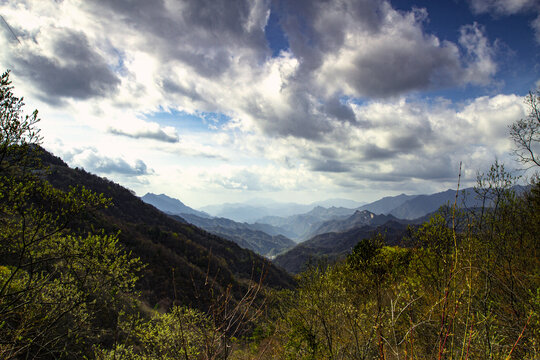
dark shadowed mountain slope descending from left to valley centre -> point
(180, 258)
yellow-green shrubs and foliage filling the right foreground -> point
(469, 292)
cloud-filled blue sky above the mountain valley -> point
(214, 101)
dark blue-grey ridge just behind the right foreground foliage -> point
(333, 246)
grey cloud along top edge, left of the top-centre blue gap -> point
(203, 34)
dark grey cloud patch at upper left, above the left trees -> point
(76, 72)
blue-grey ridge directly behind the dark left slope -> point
(249, 236)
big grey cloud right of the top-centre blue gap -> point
(368, 48)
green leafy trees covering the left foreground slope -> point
(60, 290)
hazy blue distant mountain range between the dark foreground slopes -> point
(322, 232)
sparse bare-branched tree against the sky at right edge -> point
(526, 132)
